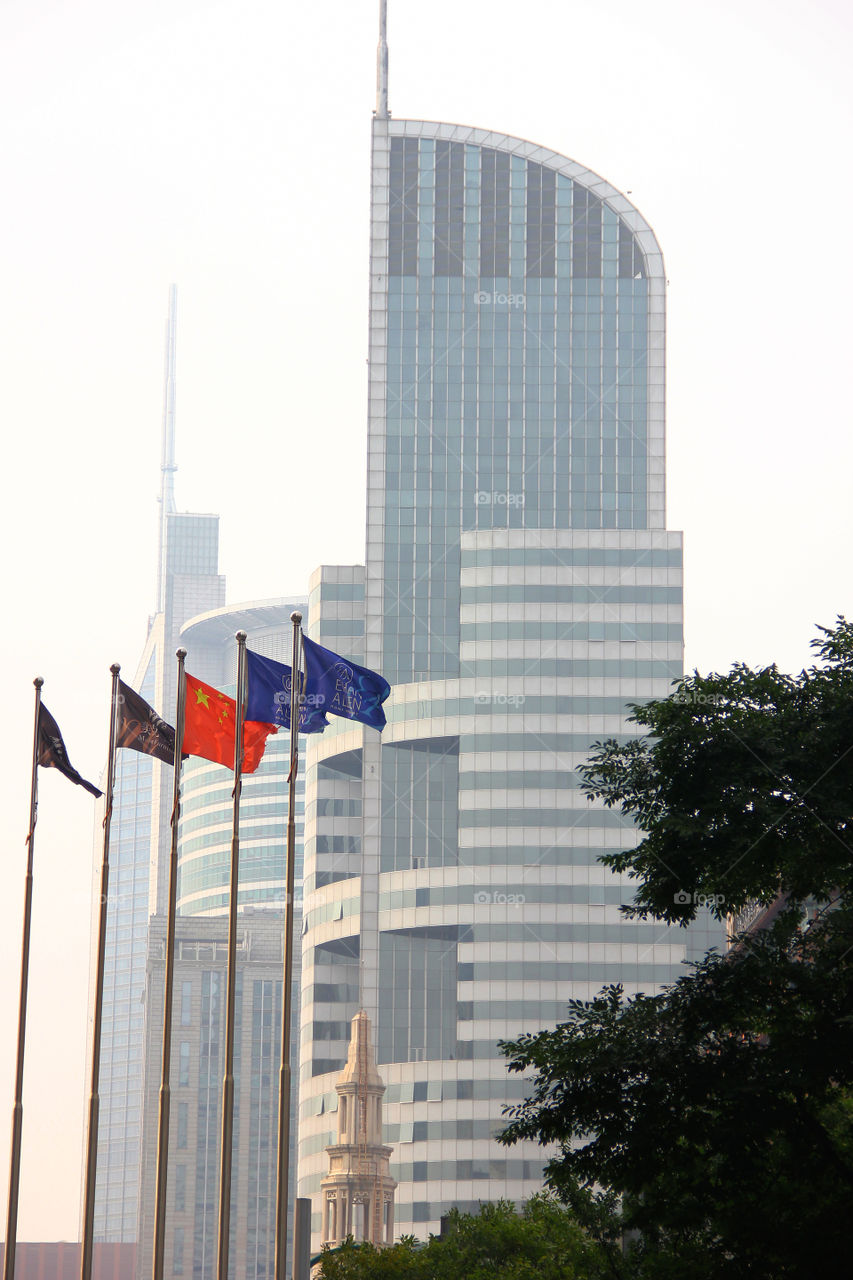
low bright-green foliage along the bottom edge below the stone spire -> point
(544, 1242)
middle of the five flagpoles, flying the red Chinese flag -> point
(166, 1092)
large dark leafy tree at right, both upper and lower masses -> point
(719, 1112)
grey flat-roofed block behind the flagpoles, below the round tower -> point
(193, 1191)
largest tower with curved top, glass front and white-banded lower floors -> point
(521, 588)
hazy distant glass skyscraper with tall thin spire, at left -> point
(189, 582)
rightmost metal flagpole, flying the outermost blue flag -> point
(285, 1067)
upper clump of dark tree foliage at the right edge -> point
(743, 785)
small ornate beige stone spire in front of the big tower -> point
(359, 1191)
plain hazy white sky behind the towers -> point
(225, 145)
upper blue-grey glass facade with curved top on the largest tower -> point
(523, 300)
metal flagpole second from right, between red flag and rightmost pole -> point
(229, 1080)
